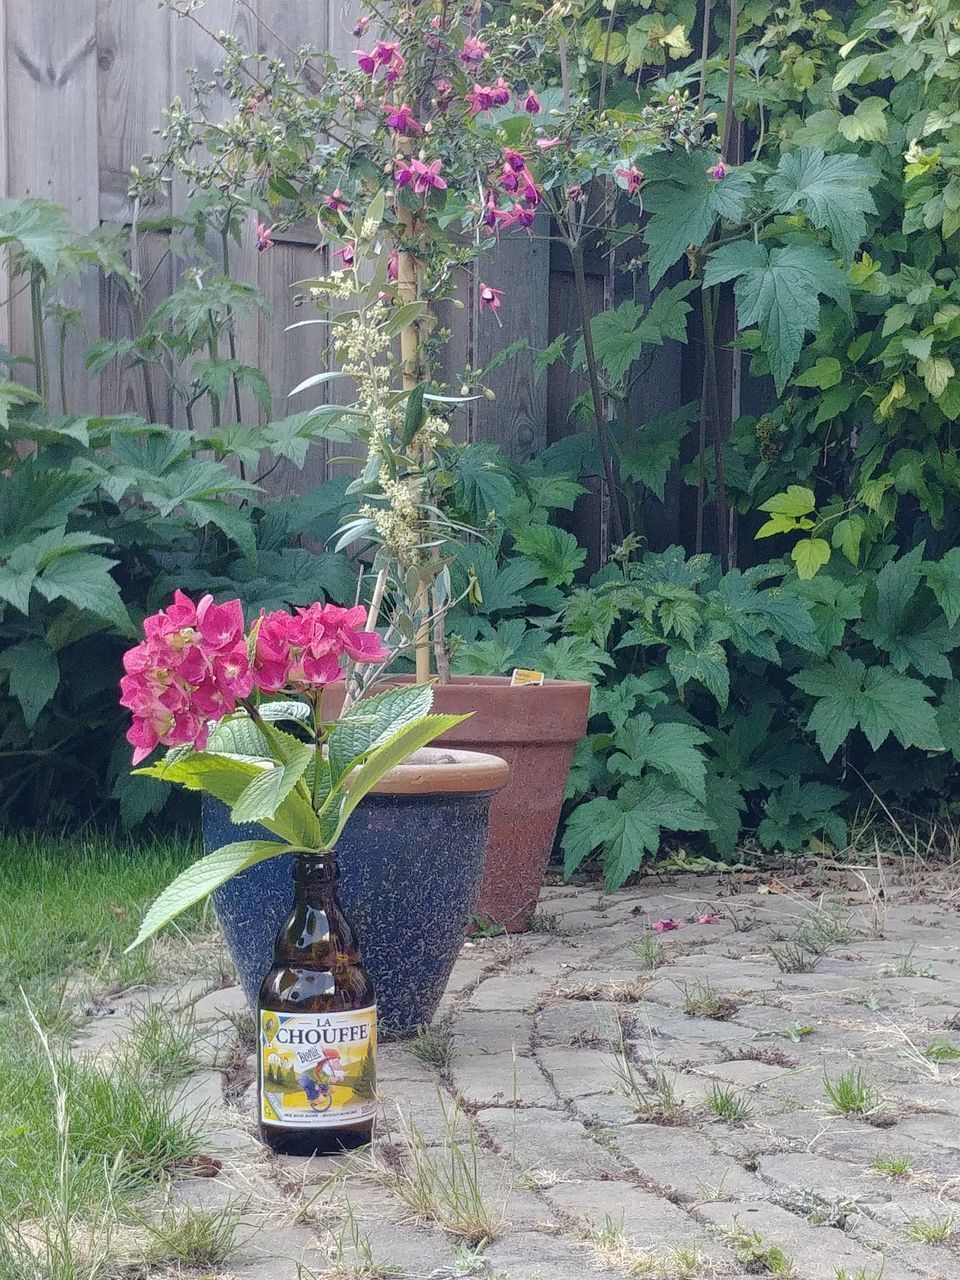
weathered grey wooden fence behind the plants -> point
(83, 88)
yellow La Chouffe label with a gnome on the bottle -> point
(318, 1071)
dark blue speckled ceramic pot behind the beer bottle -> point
(410, 877)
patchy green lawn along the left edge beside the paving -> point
(81, 1140)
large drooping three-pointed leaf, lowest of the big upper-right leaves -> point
(779, 290)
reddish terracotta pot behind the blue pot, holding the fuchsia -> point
(534, 729)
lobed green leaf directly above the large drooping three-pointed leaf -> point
(833, 191)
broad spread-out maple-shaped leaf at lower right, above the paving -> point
(877, 701)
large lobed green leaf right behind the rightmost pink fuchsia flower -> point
(684, 204)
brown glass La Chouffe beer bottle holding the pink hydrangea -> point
(317, 1026)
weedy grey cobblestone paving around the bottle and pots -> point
(583, 1105)
